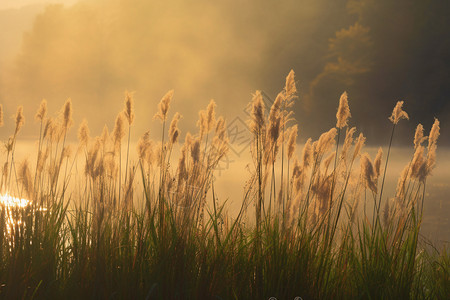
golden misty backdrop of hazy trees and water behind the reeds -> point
(93, 50)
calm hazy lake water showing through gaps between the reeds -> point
(233, 172)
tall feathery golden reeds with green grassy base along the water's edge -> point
(102, 225)
